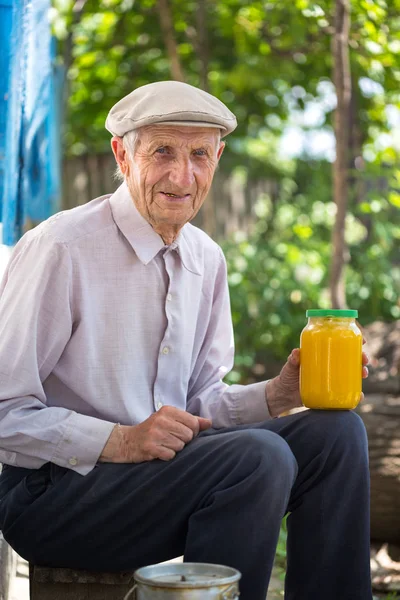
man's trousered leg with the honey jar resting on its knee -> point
(328, 528)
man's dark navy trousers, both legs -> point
(220, 500)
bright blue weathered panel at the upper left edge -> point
(30, 87)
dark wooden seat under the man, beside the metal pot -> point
(67, 584)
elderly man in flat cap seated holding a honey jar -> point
(124, 447)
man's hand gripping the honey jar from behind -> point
(283, 392)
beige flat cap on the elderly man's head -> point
(169, 103)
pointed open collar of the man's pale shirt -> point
(141, 236)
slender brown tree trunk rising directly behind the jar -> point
(342, 81)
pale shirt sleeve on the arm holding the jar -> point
(208, 395)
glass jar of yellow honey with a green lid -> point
(331, 360)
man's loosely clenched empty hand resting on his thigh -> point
(162, 435)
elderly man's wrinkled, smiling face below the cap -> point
(171, 173)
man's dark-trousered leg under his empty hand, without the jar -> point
(220, 500)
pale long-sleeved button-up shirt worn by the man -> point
(101, 322)
